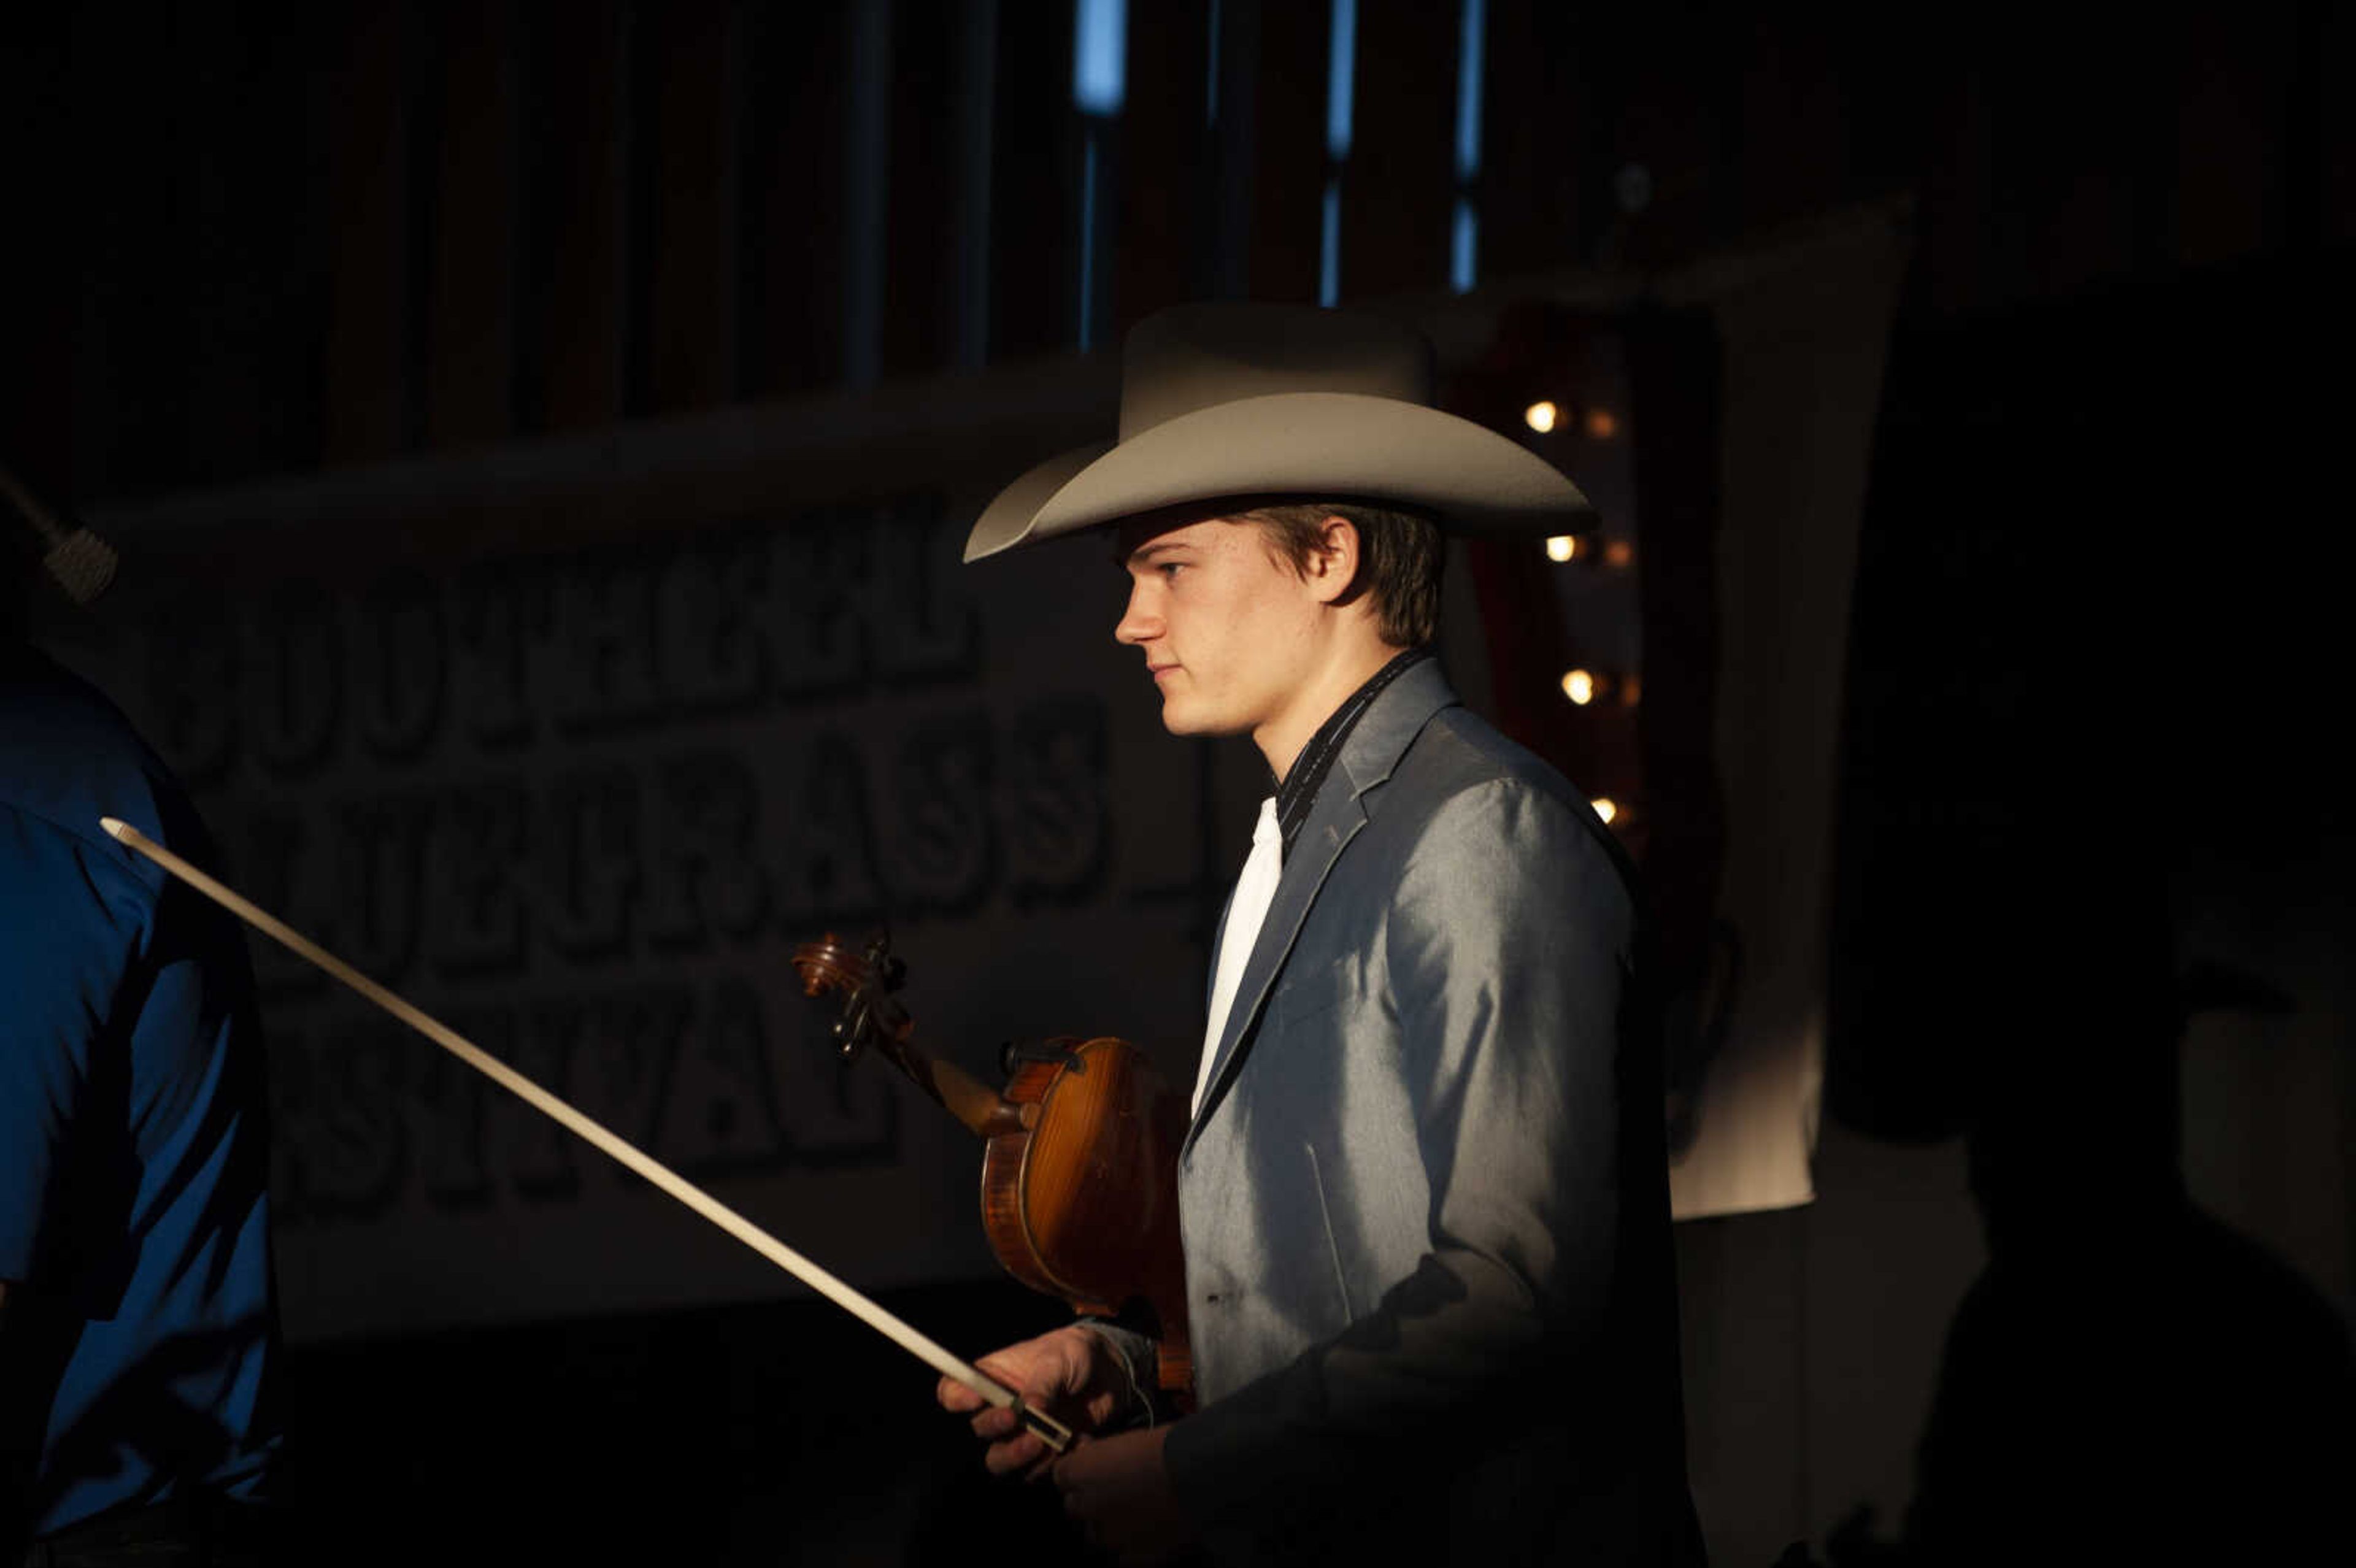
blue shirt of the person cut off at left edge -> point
(133, 1145)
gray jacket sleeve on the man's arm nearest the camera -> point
(1507, 945)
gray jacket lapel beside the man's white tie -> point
(1368, 759)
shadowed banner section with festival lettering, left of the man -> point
(581, 802)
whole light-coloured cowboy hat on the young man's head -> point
(1269, 401)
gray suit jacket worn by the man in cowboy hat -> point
(1424, 1200)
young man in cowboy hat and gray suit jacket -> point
(1424, 1195)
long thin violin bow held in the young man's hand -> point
(901, 1334)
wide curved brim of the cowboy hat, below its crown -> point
(1313, 446)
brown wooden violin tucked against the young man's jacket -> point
(1080, 1164)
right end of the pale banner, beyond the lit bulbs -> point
(1806, 331)
